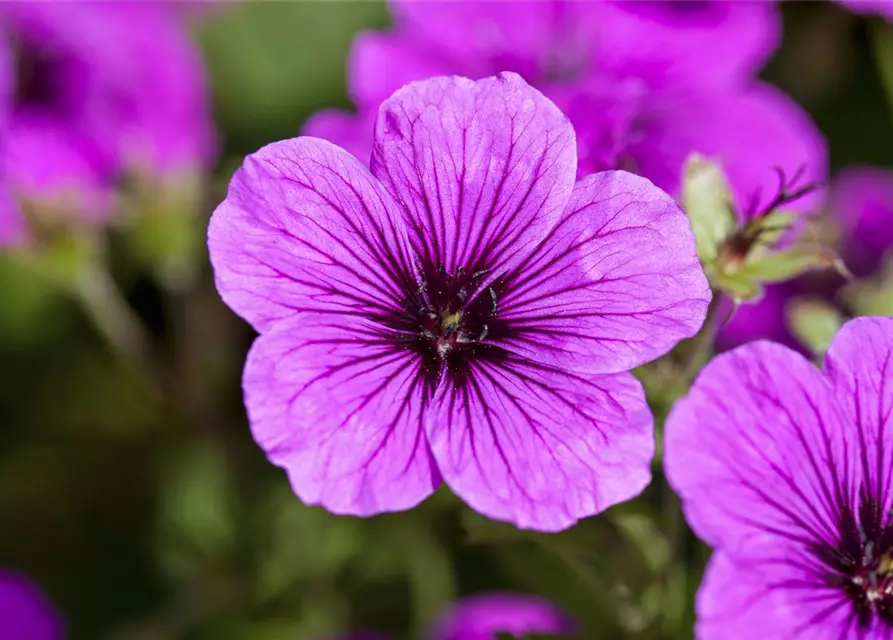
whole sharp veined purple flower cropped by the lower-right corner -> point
(786, 471)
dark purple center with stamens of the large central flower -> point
(447, 320)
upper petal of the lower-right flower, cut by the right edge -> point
(859, 364)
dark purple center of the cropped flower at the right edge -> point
(861, 563)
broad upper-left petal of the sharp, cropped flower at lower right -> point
(762, 454)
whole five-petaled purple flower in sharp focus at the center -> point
(462, 313)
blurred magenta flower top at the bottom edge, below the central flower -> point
(483, 617)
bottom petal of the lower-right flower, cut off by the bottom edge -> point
(770, 601)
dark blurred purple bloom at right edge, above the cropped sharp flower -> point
(862, 203)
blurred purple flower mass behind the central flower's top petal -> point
(644, 83)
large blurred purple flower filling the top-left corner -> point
(92, 90)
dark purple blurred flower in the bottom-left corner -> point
(25, 613)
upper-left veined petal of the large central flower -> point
(306, 227)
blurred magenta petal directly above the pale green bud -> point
(749, 131)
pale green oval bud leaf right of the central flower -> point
(708, 202)
